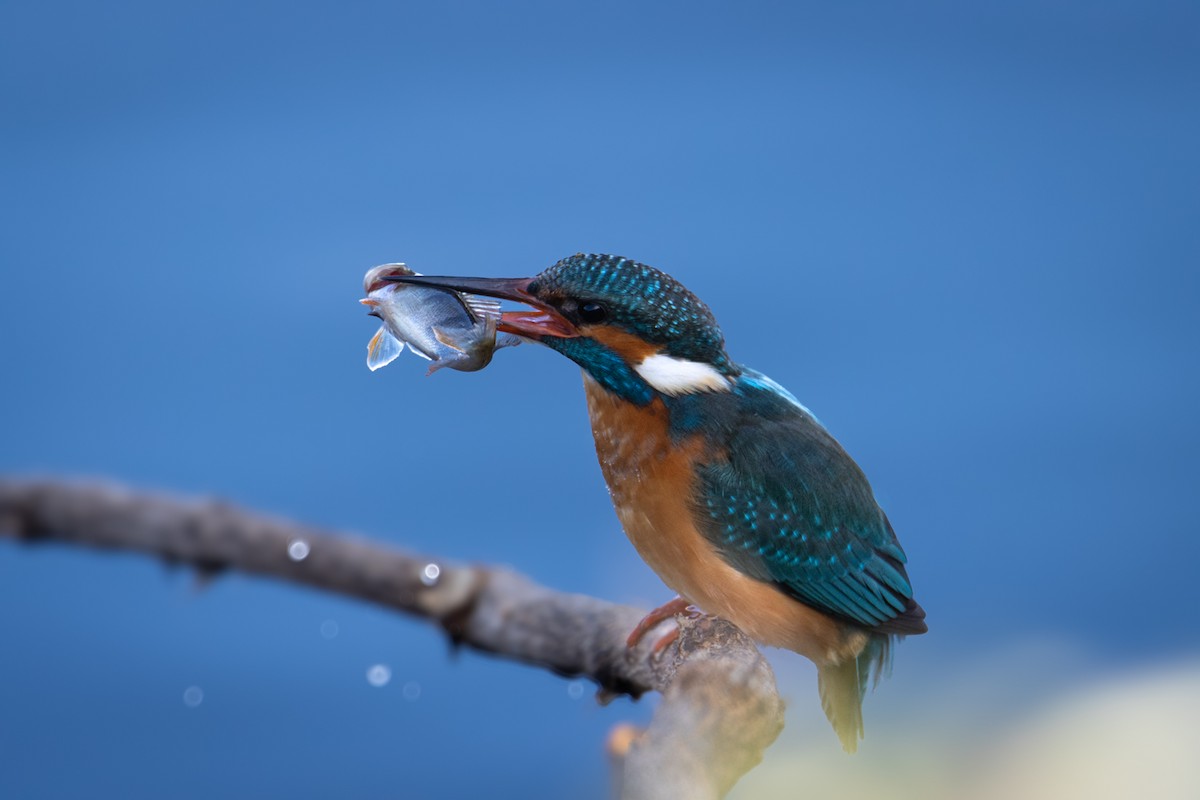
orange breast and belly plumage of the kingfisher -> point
(652, 483)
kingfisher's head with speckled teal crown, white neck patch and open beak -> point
(634, 329)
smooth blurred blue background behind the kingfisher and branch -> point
(964, 234)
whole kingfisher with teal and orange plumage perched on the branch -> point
(729, 489)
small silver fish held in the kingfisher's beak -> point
(452, 329)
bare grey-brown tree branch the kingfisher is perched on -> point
(721, 708)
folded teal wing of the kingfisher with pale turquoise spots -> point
(787, 506)
